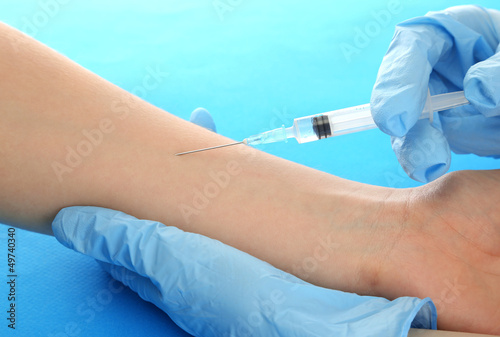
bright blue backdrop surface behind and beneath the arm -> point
(254, 65)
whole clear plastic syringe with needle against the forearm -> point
(340, 122)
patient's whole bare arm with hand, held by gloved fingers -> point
(68, 137)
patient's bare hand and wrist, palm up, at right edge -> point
(449, 250)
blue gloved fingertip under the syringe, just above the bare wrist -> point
(423, 152)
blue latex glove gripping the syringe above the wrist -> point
(456, 49)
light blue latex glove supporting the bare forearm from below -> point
(211, 289)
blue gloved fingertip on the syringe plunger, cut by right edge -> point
(482, 87)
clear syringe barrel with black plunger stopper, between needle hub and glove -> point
(333, 123)
